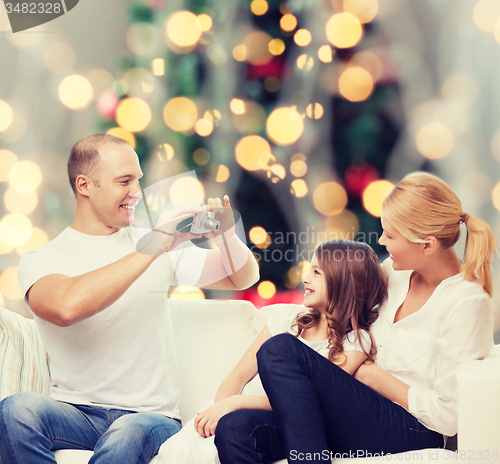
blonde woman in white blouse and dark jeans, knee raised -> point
(437, 316)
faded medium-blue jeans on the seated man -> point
(33, 425)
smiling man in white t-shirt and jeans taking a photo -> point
(101, 309)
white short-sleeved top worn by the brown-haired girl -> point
(281, 321)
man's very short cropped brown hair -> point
(84, 157)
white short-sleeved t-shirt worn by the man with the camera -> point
(123, 357)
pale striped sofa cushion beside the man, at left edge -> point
(23, 361)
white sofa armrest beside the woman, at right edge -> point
(479, 408)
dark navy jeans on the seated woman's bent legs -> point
(317, 408)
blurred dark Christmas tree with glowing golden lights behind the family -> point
(291, 108)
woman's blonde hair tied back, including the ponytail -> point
(423, 205)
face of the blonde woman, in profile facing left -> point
(405, 255)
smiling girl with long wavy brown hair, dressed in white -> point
(342, 291)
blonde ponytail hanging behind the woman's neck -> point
(479, 250)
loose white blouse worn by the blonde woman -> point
(425, 349)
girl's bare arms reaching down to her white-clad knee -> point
(228, 396)
